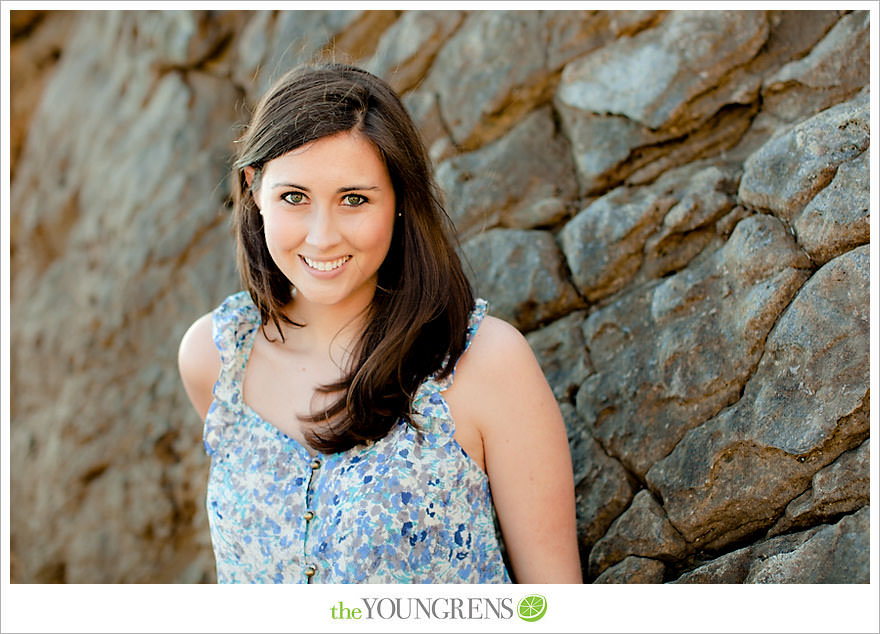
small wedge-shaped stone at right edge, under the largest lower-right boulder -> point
(841, 487)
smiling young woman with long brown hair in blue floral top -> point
(364, 417)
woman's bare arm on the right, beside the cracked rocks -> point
(526, 453)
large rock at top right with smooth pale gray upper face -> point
(666, 96)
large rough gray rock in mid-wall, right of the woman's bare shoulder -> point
(671, 354)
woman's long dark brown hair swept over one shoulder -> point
(417, 321)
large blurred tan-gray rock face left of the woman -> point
(124, 248)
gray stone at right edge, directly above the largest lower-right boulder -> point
(837, 218)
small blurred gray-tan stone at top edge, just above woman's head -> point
(408, 46)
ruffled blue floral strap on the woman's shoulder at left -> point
(233, 326)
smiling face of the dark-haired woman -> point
(328, 213)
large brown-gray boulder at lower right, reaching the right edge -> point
(806, 403)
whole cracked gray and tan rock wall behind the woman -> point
(672, 205)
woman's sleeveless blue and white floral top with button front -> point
(412, 507)
